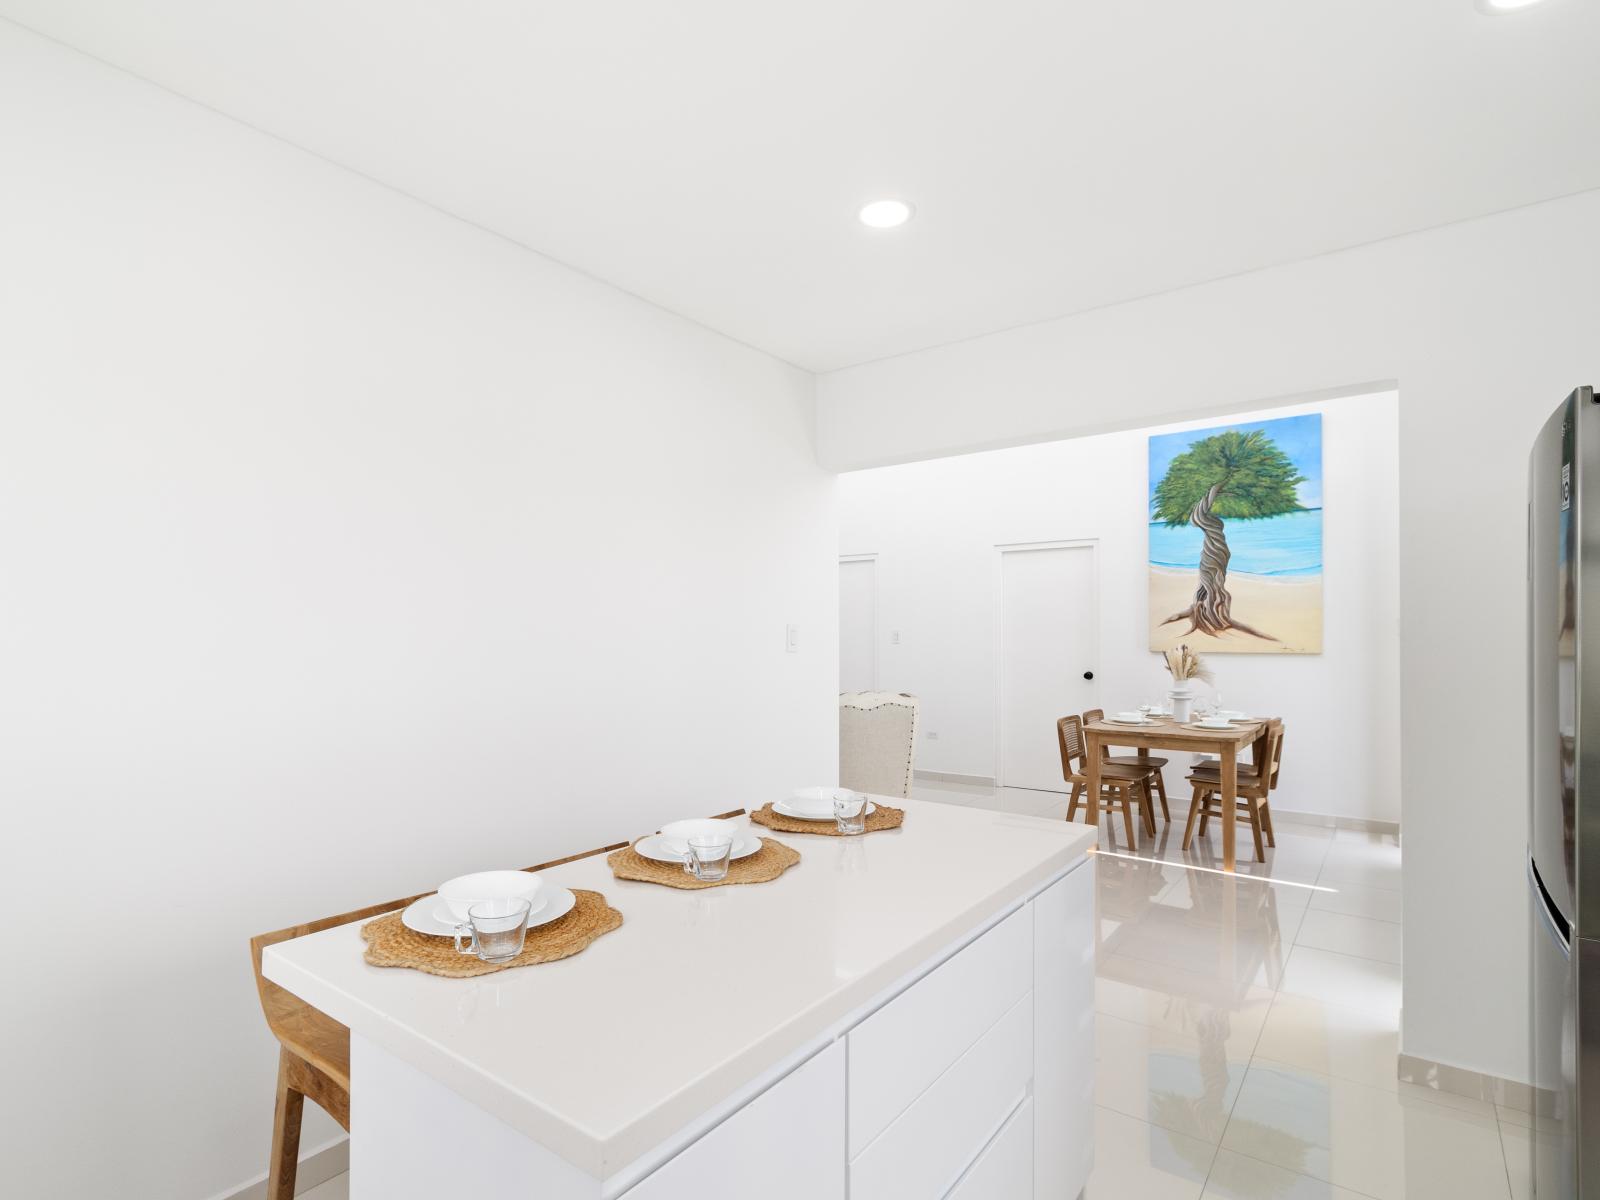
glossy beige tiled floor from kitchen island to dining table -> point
(1247, 1028)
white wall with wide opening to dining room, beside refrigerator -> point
(1487, 326)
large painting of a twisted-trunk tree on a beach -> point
(1236, 538)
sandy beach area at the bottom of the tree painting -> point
(1289, 609)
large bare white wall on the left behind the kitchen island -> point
(345, 548)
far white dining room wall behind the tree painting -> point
(935, 529)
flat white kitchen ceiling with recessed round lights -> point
(711, 154)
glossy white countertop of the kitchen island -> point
(606, 1055)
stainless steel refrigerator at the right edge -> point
(1564, 802)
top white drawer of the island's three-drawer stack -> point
(914, 1039)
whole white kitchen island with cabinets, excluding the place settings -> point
(905, 1015)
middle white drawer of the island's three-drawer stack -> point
(926, 1151)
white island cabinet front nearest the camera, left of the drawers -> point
(786, 1145)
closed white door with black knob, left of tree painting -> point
(1049, 644)
